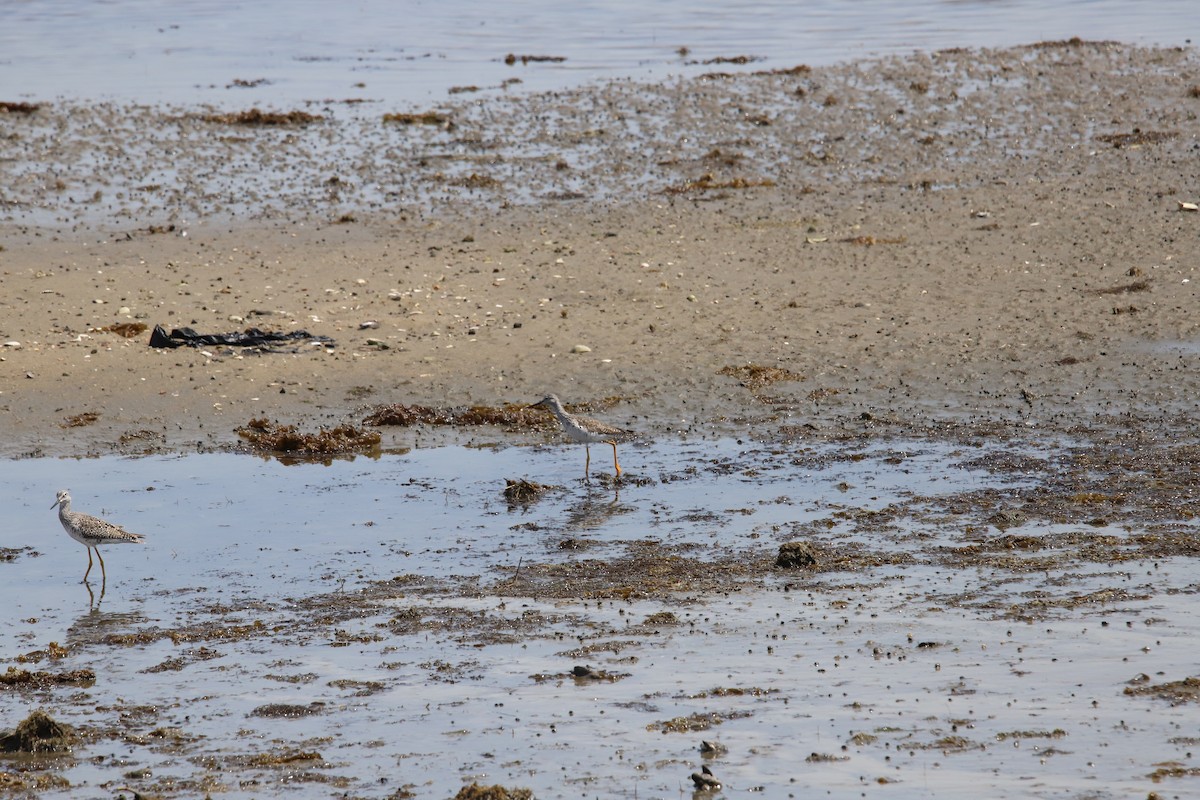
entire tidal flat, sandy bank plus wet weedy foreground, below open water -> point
(913, 341)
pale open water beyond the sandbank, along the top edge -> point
(296, 52)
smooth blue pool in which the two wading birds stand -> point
(431, 512)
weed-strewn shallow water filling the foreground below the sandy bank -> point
(907, 681)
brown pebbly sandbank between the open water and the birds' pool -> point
(968, 237)
